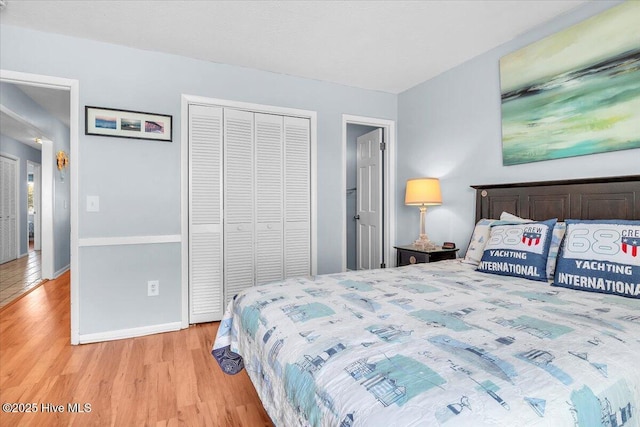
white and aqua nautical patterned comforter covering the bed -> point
(435, 344)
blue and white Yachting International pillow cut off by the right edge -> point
(601, 256)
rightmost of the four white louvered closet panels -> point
(297, 197)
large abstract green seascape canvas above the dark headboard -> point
(576, 92)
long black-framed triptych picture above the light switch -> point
(127, 124)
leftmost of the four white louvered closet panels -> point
(205, 214)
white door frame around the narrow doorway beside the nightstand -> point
(388, 187)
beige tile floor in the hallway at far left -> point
(19, 276)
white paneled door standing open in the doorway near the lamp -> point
(369, 207)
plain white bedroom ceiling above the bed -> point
(388, 46)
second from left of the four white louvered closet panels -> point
(238, 202)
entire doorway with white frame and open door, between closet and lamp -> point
(368, 202)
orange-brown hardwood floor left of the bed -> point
(158, 380)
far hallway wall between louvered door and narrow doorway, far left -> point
(24, 153)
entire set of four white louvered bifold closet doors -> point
(249, 204)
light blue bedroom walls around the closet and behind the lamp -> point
(448, 127)
